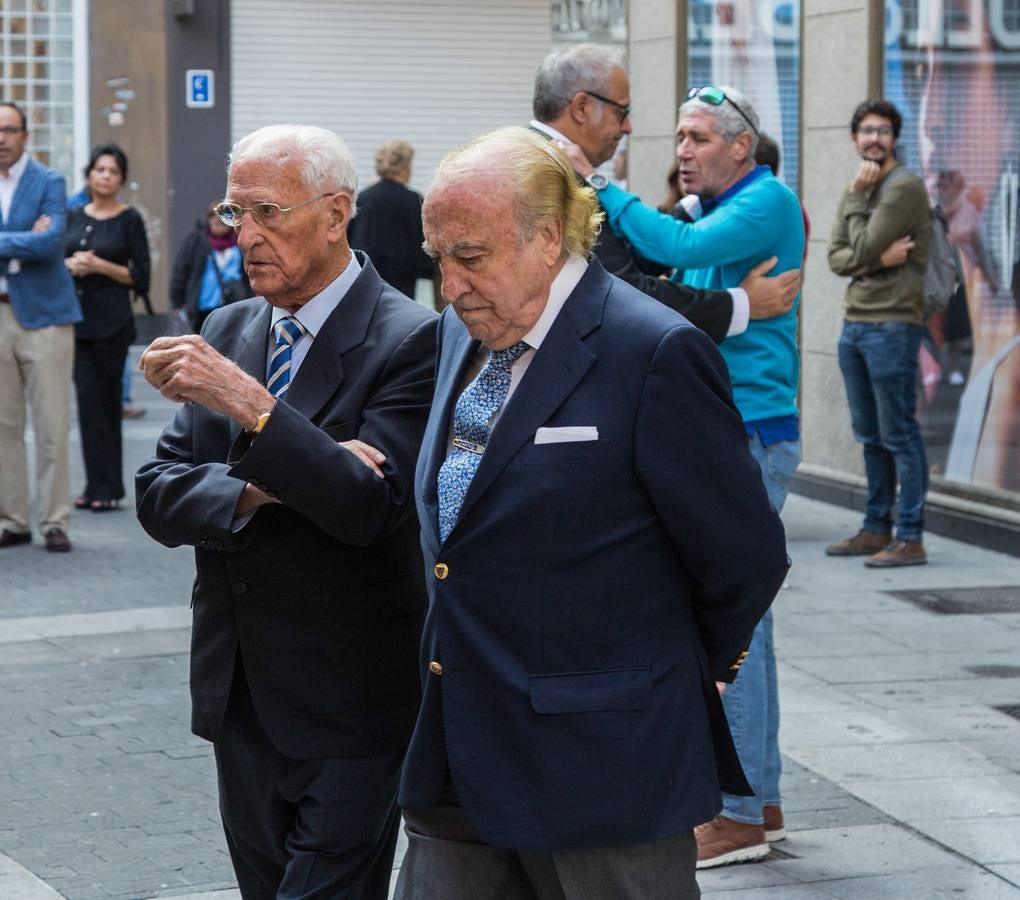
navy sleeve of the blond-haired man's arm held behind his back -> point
(692, 454)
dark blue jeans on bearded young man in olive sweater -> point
(880, 367)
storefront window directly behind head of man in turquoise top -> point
(754, 46)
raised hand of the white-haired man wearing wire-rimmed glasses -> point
(186, 370)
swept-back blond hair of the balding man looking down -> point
(544, 182)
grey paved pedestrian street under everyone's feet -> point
(902, 779)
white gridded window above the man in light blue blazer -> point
(38, 75)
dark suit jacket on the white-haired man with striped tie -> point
(323, 594)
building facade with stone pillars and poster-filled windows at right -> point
(953, 69)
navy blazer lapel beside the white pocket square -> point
(555, 372)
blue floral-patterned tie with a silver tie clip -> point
(471, 432)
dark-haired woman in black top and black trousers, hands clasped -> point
(108, 255)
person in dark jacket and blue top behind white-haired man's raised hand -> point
(209, 271)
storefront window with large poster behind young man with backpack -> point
(953, 69)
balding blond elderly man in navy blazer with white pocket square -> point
(598, 545)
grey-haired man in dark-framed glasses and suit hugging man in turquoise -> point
(582, 96)
